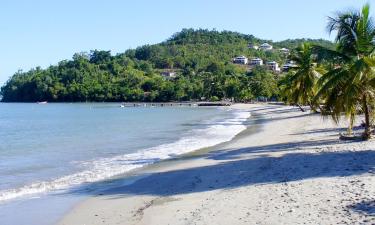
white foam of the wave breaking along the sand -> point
(108, 167)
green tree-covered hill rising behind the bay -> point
(191, 65)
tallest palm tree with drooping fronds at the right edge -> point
(348, 87)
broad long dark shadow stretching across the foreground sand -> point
(260, 170)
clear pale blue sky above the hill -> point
(44, 32)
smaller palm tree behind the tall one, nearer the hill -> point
(299, 87)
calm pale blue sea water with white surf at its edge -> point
(46, 148)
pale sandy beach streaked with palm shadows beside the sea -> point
(288, 167)
